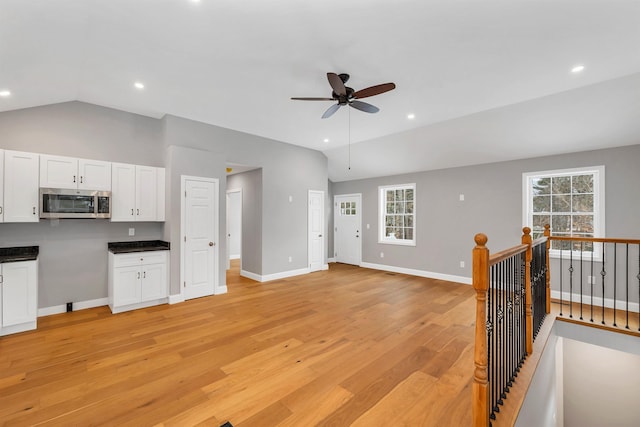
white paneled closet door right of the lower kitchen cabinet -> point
(199, 229)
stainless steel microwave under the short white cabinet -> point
(65, 203)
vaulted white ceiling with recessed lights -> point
(487, 80)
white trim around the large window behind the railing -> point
(598, 202)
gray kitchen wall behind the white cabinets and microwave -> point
(73, 253)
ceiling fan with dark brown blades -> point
(347, 96)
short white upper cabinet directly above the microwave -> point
(72, 173)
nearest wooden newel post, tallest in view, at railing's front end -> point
(480, 388)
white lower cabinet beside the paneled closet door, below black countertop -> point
(137, 280)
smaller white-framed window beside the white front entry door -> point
(397, 214)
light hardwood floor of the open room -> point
(348, 346)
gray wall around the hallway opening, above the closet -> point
(287, 170)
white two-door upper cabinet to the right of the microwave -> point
(137, 193)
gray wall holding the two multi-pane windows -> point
(493, 205)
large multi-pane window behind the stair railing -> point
(570, 201)
